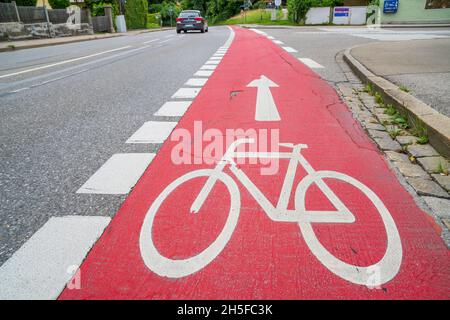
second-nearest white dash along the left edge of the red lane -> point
(118, 174)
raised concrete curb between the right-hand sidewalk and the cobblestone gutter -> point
(436, 124)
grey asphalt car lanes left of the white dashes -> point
(59, 124)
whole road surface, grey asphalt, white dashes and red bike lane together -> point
(81, 123)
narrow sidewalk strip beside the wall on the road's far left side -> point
(34, 43)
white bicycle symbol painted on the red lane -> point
(386, 268)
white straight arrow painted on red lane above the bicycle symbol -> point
(266, 109)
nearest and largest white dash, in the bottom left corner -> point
(43, 266)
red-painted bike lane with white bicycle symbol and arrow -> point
(257, 257)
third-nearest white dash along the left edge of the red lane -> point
(152, 132)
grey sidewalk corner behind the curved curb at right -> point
(421, 67)
